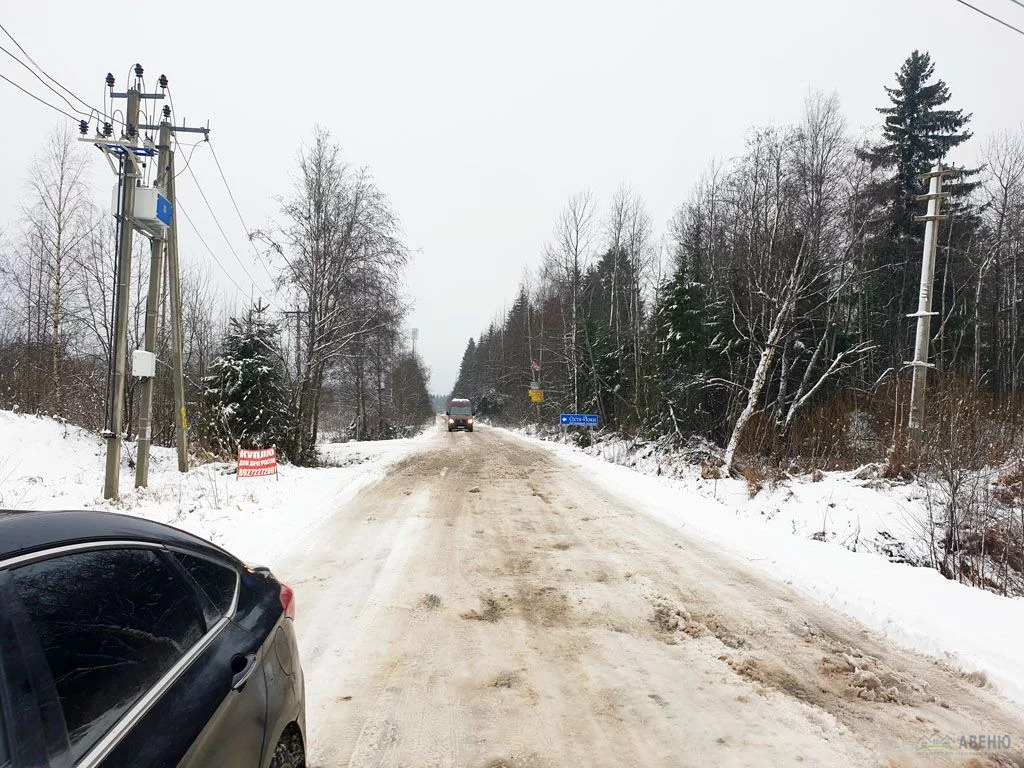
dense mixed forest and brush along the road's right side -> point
(770, 325)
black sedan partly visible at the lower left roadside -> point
(124, 643)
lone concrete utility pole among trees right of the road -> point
(924, 315)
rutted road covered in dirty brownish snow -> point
(488, 605)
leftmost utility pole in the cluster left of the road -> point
(116, 395)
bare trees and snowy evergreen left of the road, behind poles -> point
(328, 352)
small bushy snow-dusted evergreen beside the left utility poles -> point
(247, 391)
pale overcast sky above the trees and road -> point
(481, 119)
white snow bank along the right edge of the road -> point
(917, 608)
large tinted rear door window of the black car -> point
(111, 623)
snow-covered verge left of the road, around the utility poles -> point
(49, 465)
